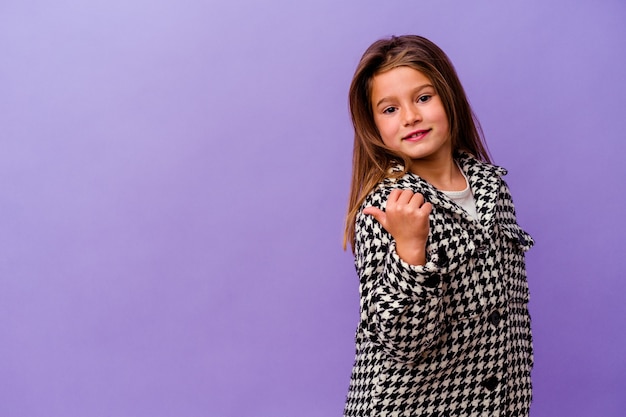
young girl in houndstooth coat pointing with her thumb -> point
(444, 327)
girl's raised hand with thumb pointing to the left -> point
(406, 220)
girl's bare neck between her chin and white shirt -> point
(444, 174)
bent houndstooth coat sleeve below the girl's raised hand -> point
(400, 304)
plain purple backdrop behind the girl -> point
(174, 175)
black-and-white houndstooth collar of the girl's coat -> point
(484, 179)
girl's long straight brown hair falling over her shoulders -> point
(371, 159)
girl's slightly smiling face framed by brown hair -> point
(409, 114)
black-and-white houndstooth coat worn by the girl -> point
(450, 338)
